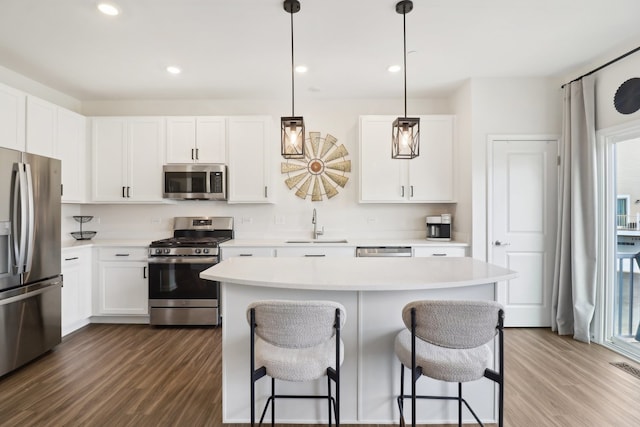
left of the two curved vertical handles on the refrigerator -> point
(19, 210)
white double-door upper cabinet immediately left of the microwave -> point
(127, 159)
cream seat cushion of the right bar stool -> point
(442, 363)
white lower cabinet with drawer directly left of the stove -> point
(122, 287)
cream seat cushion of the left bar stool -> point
(297, 364)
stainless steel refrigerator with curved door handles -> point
(30, 279)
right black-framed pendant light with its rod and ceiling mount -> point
(405, 135)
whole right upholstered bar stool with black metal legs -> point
(450, 341)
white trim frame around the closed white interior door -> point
(491, 140)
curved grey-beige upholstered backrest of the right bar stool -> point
(454, 324)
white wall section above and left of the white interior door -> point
(505, 106)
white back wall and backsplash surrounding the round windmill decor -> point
(341, 216)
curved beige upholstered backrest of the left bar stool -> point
(296, 324)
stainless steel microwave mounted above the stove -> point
(198, 181)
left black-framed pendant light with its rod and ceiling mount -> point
(292, 128)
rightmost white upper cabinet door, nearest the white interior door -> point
(431, 174)
